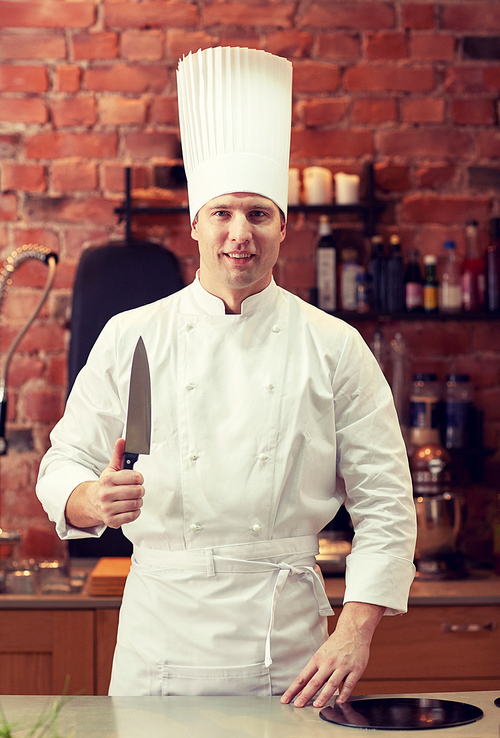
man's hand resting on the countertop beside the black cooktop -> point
(343, 658)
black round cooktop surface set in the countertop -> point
(401, 713)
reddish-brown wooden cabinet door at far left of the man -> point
(40, 648)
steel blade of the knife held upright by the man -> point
(138, 426)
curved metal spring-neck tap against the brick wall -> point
(18, 257)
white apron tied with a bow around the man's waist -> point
(256, 613)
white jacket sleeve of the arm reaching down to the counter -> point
(373, 463)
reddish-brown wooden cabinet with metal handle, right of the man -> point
(434, 649)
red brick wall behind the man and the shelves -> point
(89, 87)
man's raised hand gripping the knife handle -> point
(114, 500)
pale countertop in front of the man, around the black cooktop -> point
(222, 717)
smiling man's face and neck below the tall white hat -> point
(238, 236)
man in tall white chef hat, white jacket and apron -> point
(267, 415)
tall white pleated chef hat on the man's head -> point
(235, 121)
